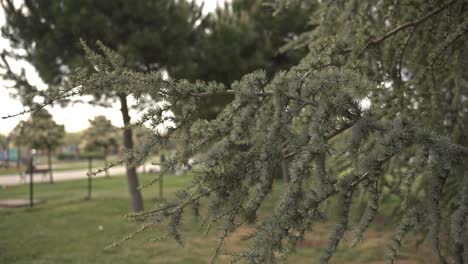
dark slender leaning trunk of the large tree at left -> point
(132, 177)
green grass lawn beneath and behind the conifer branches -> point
(69, 229)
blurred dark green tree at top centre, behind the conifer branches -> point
(240, 37)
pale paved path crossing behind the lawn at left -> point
(14, 179)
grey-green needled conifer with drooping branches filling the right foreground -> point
(313, 116)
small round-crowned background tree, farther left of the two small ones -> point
(40, 132)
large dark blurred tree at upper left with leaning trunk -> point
(153, 35)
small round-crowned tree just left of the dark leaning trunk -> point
(101, 136)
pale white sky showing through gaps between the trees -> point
(74, 117)
